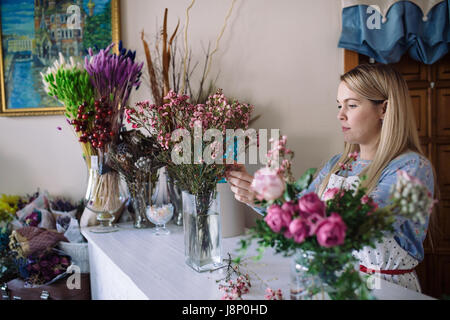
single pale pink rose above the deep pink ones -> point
(267, 184)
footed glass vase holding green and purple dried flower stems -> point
(106, 195)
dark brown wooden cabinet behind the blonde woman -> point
(429, 87)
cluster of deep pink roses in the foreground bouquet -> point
(305, 218)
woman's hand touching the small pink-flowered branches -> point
(240, 181)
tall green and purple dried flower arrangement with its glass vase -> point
(95, 96)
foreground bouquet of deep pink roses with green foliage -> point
(331, 228)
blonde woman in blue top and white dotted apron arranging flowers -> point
(375, 111)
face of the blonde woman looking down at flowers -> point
(360, 118)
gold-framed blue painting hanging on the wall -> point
(34, 32)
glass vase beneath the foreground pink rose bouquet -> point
(304, 286)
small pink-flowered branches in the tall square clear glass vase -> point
(193, 165)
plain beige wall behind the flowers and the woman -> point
(279, 55)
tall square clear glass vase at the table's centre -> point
(202, 231)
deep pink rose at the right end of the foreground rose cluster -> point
(331, 231)
